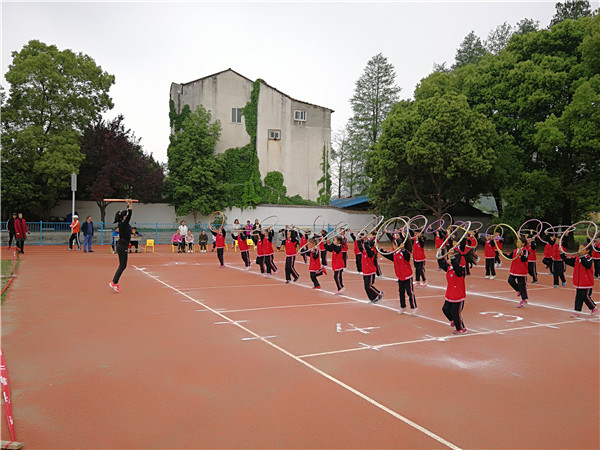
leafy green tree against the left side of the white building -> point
(192, 183)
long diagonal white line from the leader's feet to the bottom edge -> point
(317, 370)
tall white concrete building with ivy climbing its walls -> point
(290, 136)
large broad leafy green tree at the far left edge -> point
(53, 96)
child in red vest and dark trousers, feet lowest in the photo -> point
(456, 292)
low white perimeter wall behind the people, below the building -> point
(164, 213)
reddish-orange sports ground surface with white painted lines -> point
(193, 356)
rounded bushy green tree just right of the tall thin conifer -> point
(414, 164)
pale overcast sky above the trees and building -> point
(313, 52)
